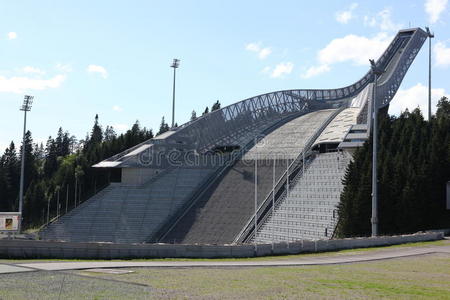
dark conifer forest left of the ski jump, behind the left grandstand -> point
(58, 175)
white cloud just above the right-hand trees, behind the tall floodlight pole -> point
(415, 96)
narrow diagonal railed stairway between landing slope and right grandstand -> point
(294, 168)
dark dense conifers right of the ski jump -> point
(413, 169)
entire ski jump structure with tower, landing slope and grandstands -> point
(196, 183)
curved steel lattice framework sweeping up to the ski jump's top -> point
(238, 123)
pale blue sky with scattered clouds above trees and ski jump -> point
(112, 58)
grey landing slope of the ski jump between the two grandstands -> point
(222, 212)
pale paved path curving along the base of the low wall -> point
(363, 256)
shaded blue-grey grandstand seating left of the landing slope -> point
(127, 214)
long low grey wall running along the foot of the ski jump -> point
(66, 250)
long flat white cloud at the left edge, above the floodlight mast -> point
(22, 84)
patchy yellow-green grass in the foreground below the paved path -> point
(418, 277)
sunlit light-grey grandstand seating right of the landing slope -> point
(309, 210)
